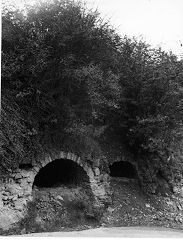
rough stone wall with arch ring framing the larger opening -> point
(16, 191)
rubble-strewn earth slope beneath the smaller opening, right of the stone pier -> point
(131, 207)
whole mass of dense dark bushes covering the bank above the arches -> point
(70, 81)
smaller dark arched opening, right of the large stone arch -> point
(123, 169)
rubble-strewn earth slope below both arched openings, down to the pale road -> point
(71, 209)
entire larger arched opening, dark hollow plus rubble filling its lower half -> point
(62, 194)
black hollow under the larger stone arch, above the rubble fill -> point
(61, 172)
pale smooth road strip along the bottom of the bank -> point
(136, 232)
